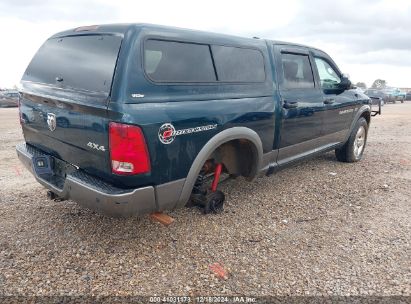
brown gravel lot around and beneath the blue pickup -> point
(319, 228)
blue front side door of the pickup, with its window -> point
(339, 104)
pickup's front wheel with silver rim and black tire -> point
(353, 149)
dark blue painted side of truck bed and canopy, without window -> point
(227, 105)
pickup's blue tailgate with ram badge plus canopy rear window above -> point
(65, 92)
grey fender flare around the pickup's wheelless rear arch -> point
(216, 141)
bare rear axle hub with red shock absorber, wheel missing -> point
(209, 200)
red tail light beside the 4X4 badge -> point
(128, 150)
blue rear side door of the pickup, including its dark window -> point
(302, 103)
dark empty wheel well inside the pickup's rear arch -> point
(239, 156)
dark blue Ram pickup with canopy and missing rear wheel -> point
(177, 108)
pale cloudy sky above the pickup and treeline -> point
(368, 39)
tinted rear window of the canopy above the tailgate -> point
(79, 62)
